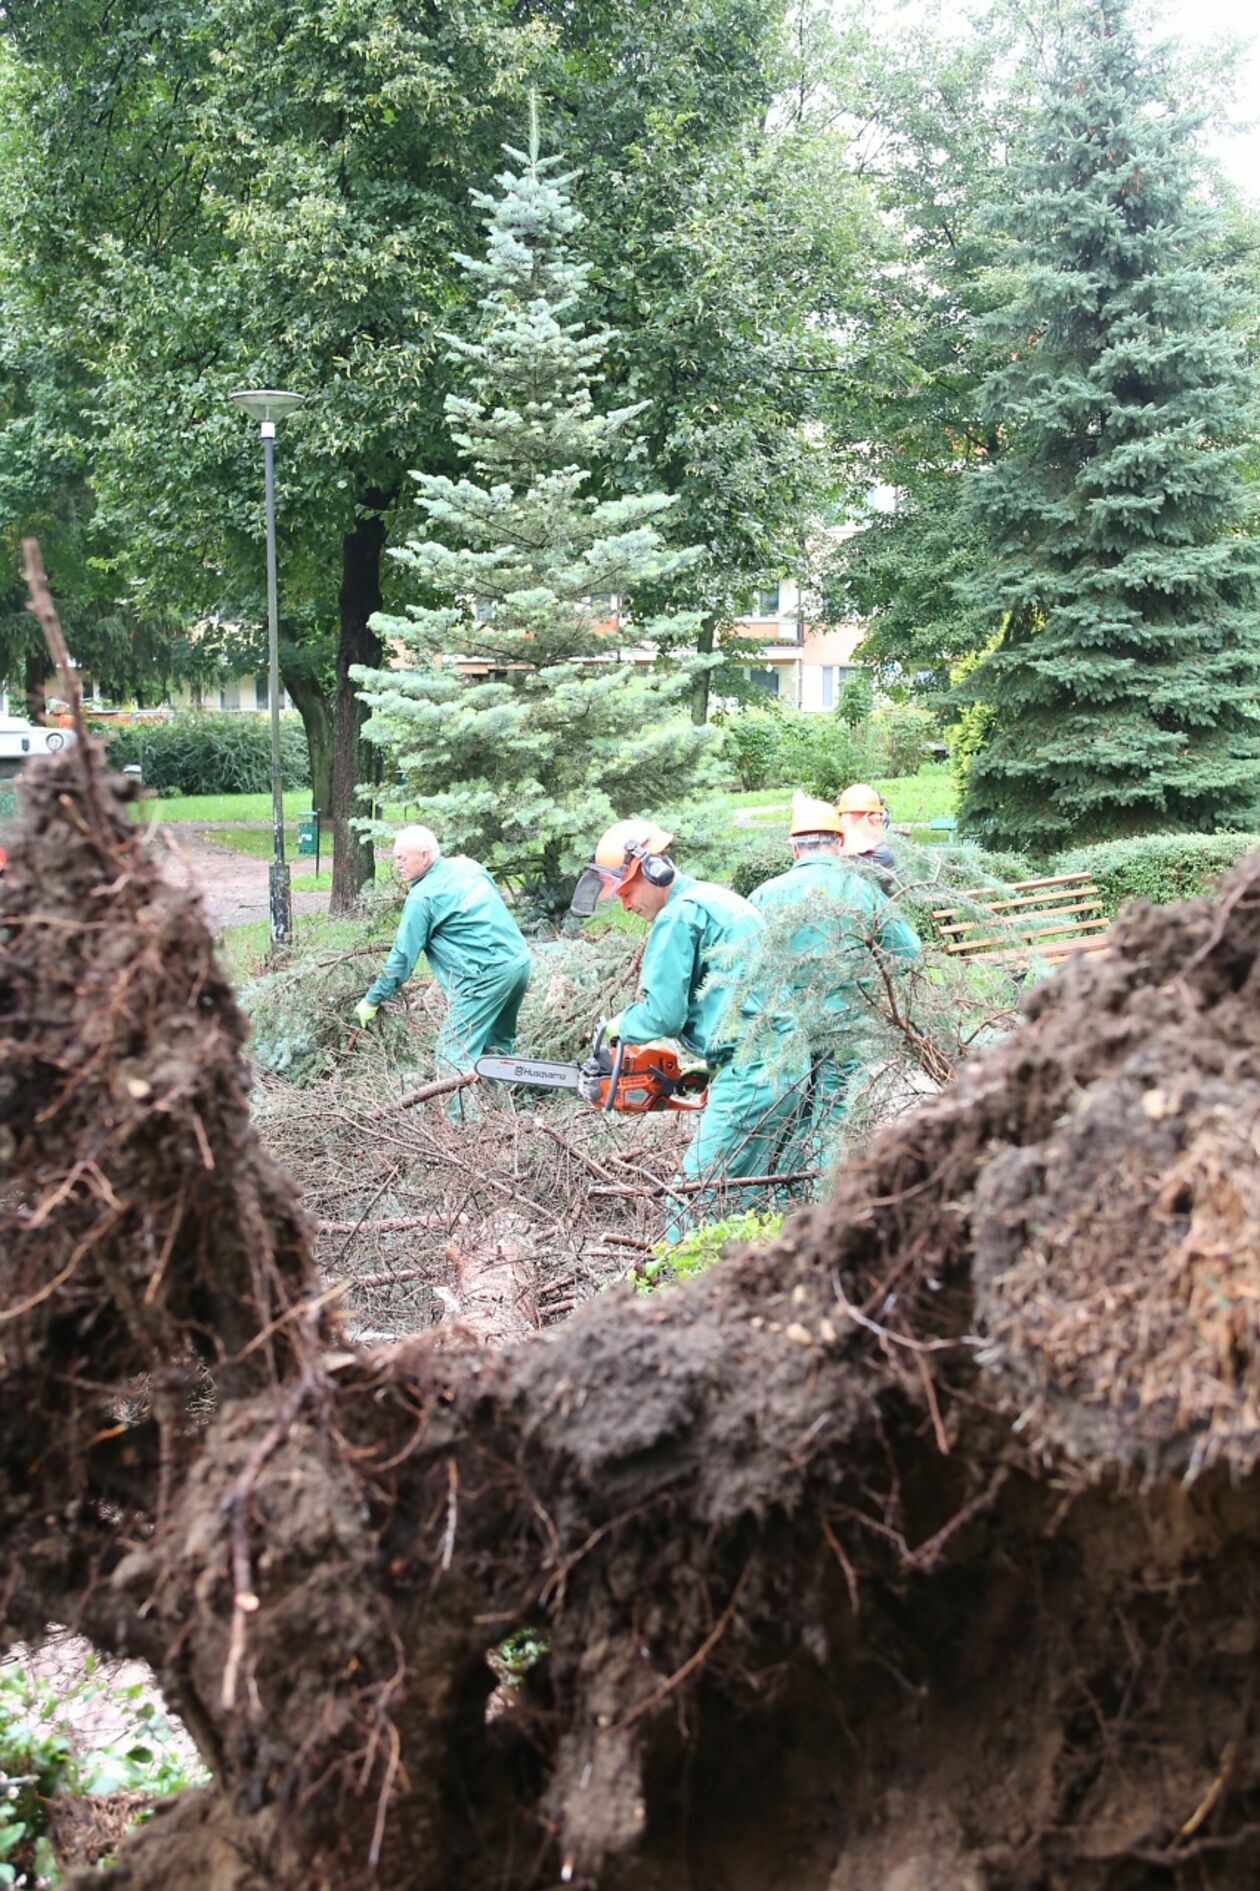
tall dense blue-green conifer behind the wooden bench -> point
(1129, 678)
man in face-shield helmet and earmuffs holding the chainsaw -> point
(697, 929)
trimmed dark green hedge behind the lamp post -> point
(211, 754)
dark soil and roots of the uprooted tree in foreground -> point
(917, 1553)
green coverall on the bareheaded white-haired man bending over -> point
(457, 916)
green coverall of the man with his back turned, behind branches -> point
(854, 901)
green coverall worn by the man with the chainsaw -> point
(748, 1113)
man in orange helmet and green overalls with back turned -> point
(845, 914)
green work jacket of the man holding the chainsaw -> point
(678, 999)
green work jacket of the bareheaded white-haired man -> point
(457, 916)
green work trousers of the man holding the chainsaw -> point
(744, 1130)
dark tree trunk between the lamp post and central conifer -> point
(355, 761)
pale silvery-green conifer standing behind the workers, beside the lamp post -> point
(557, 731)
